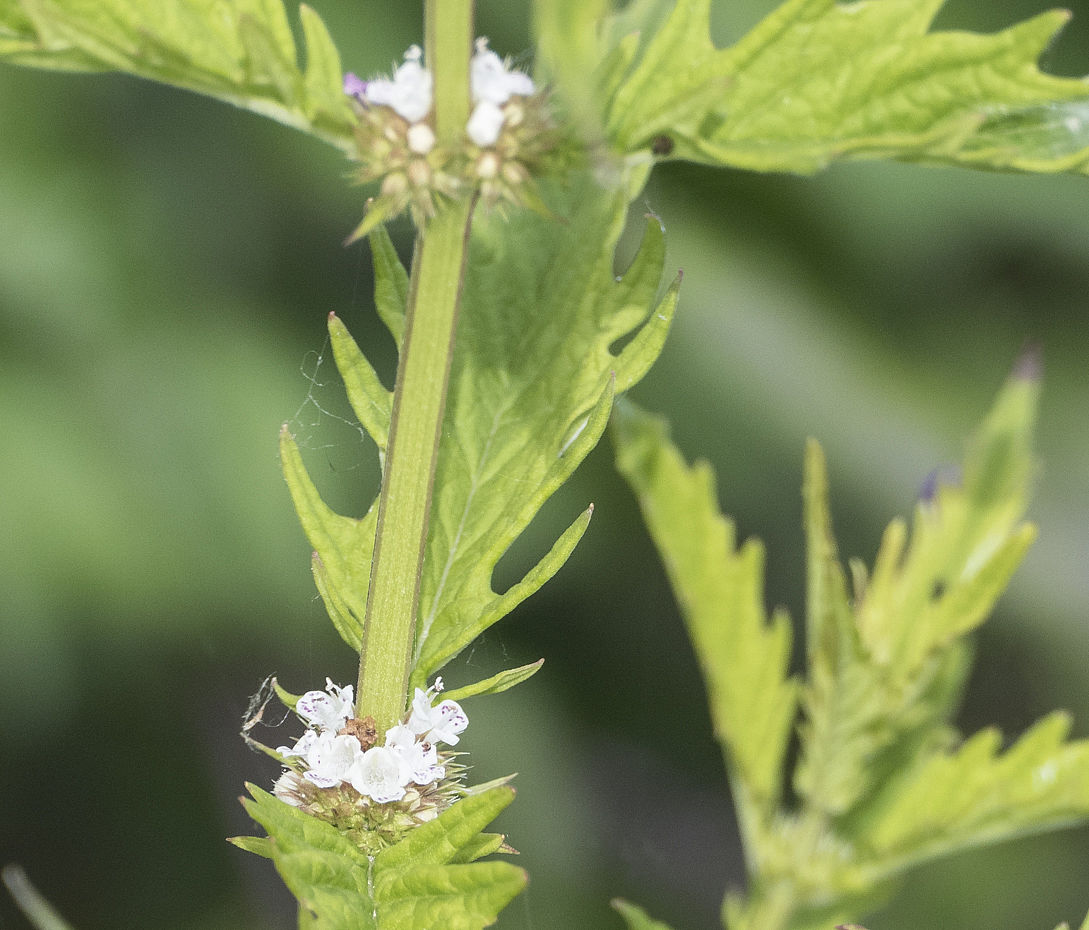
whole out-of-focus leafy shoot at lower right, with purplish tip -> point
(883, 781)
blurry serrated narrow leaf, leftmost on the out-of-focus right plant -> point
(720, 590)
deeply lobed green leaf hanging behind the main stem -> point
(532, 385)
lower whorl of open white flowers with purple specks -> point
(338, 772)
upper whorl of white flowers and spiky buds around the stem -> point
(507, 138)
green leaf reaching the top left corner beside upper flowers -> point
(243, 53)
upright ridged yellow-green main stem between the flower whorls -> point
(420, 397)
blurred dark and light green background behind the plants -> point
(166, 271)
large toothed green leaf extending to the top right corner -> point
(819, 81)
